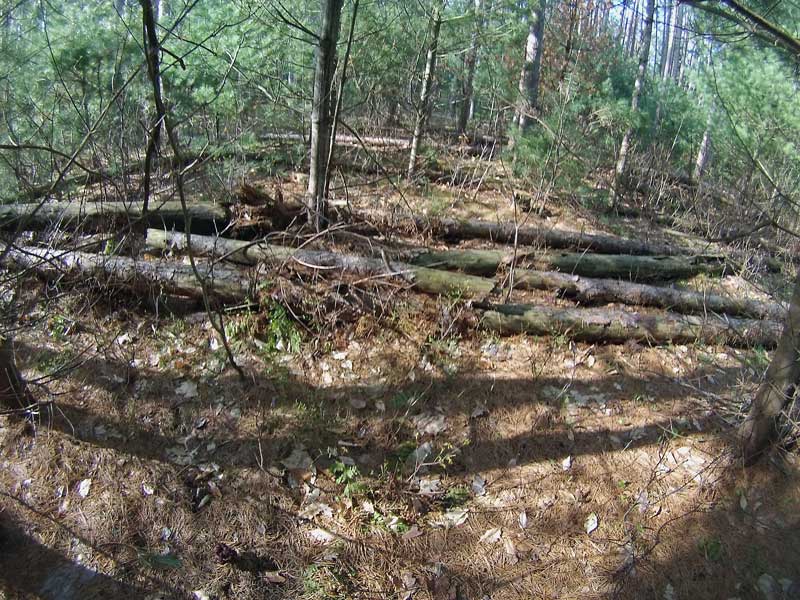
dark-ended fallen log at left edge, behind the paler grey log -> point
(169, 214)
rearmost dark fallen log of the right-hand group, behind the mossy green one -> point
(507, 233)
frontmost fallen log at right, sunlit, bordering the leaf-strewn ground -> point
(617, 326)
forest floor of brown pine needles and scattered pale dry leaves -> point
(406, 454)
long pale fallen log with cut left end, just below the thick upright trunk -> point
(432, 281)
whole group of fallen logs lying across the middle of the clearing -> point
(598, 271)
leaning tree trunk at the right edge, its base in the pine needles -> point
(780, 386)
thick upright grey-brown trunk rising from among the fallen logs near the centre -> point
(322, 109)
